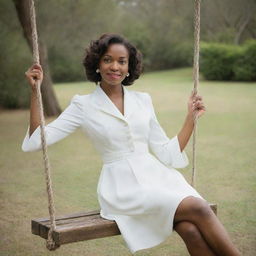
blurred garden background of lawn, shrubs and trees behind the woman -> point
(163, 31)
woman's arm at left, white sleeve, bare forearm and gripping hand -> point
(66, 123)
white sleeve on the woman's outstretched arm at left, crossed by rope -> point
(67, 122)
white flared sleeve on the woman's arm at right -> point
(165, 149)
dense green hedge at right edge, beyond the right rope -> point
(229, 62)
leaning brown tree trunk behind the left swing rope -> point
(51, 105)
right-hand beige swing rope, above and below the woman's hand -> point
(196, 81)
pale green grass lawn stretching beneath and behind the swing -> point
(226, 164)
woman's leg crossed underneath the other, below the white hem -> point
(193, 239)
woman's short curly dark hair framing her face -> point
(98, 47)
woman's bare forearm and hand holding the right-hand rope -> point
(196, 108)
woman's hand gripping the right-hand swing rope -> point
(196, 106)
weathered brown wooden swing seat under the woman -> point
(79, 227)
